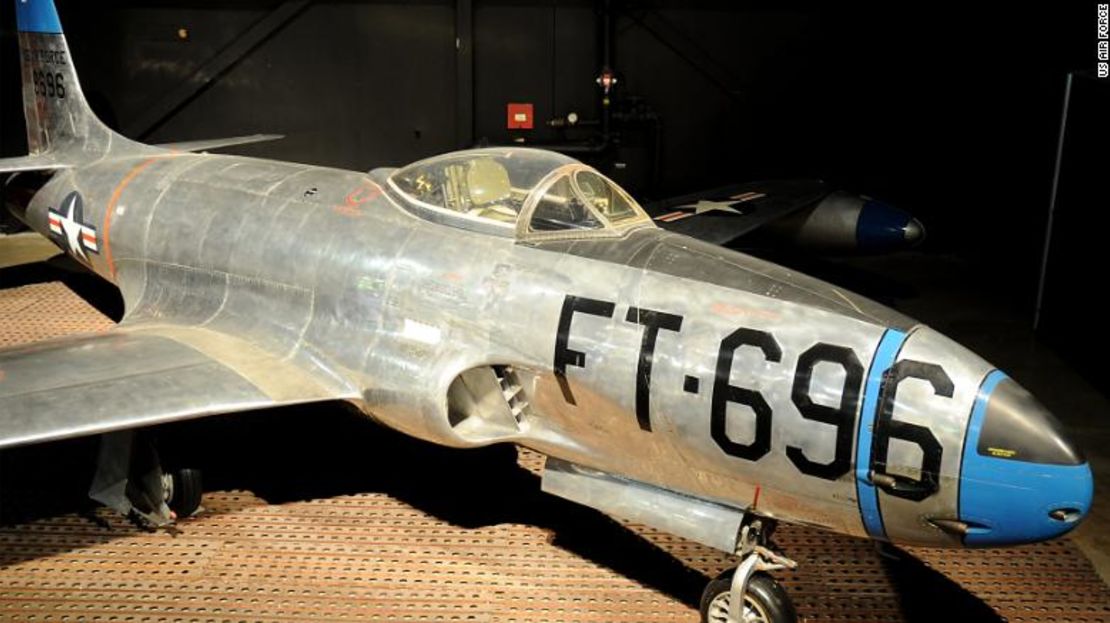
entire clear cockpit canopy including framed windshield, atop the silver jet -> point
(527, 193)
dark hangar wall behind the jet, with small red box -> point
(948, 112)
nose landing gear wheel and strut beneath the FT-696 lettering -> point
(748, 595)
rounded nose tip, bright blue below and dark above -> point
(1022, 481)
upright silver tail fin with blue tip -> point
(62, 129)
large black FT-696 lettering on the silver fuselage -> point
(843, 417)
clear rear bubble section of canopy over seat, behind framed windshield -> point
(486, 184)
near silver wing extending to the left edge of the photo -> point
(145, 375)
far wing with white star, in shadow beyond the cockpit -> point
(723, 215)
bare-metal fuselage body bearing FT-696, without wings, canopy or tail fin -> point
(653, 356)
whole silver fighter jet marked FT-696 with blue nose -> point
(513, 296)
